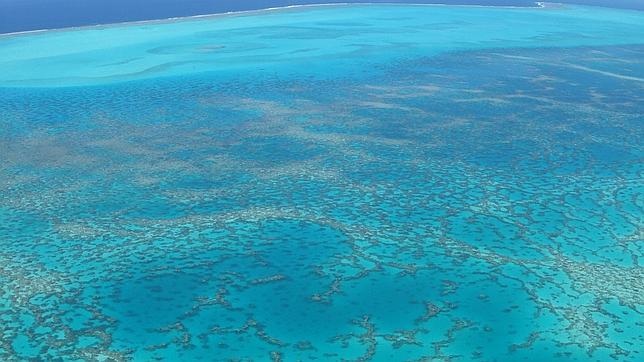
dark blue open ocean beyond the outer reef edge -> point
(24, 15)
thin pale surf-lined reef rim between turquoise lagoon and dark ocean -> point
(537, 5)
